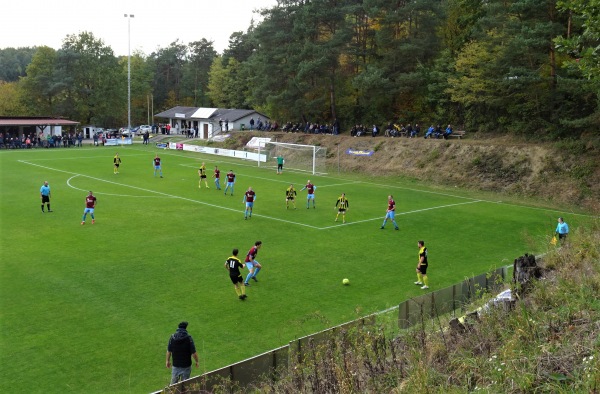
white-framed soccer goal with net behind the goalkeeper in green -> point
(305, 158)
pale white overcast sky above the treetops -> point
(155, 24)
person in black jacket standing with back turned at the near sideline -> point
(181, 347)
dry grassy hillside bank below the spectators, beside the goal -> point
(564, 173)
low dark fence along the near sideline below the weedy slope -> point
(410, 312)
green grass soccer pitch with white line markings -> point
(90, 308)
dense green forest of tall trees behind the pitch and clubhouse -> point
(524, 67)
